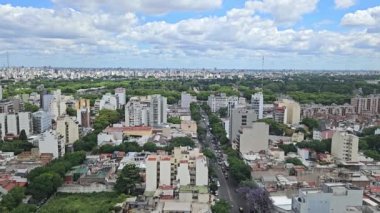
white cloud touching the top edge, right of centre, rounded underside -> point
(284, 11)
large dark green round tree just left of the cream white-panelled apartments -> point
(127, 180)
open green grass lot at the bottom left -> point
(82, 203)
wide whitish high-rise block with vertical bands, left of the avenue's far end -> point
(146, 111)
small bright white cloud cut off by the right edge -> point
(363, 18)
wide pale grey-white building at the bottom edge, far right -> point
(331, 197)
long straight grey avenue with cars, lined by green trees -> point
(227, 187)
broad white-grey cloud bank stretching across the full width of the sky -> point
(242, 33)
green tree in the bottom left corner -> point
(12, 199)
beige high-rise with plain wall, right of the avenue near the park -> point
(292, 114)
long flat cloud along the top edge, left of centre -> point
(144, 6)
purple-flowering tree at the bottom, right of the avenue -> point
(257, 198)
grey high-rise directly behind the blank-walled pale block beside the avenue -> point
(239, 118)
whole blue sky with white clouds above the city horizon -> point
(235, 34)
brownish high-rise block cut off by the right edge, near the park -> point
(369, 105)
